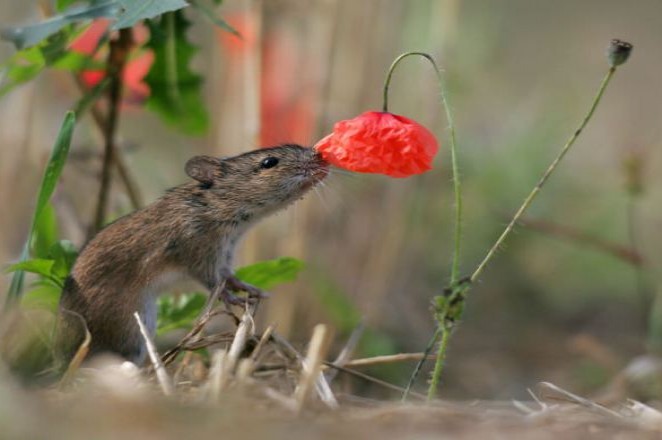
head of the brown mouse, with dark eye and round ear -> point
(260, 181)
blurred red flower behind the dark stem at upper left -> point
(136, 90)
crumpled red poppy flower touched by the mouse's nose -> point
(380, 142)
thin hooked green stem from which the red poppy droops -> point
(442, 328)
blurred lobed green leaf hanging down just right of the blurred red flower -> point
(176, 91)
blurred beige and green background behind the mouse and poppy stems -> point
(568, 299)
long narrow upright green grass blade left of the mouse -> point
(51, 175)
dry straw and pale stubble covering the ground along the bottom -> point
(259, 385)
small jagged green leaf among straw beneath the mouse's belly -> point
(175, 312)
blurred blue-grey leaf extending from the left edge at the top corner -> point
(30, 35)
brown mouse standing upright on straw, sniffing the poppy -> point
(191, 231)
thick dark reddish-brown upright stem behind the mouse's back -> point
(117, 57)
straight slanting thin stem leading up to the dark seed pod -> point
(529, 199)
